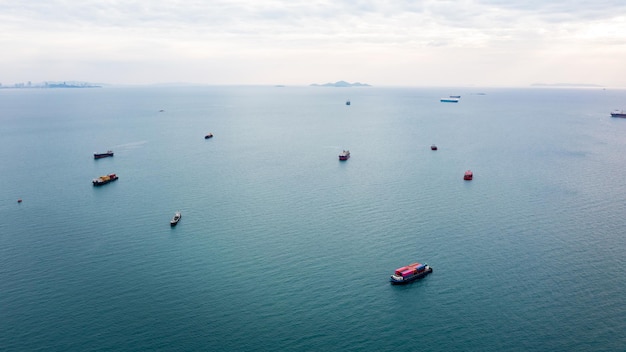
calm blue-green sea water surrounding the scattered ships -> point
(282, 247)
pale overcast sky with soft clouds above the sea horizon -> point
(298, 42)
